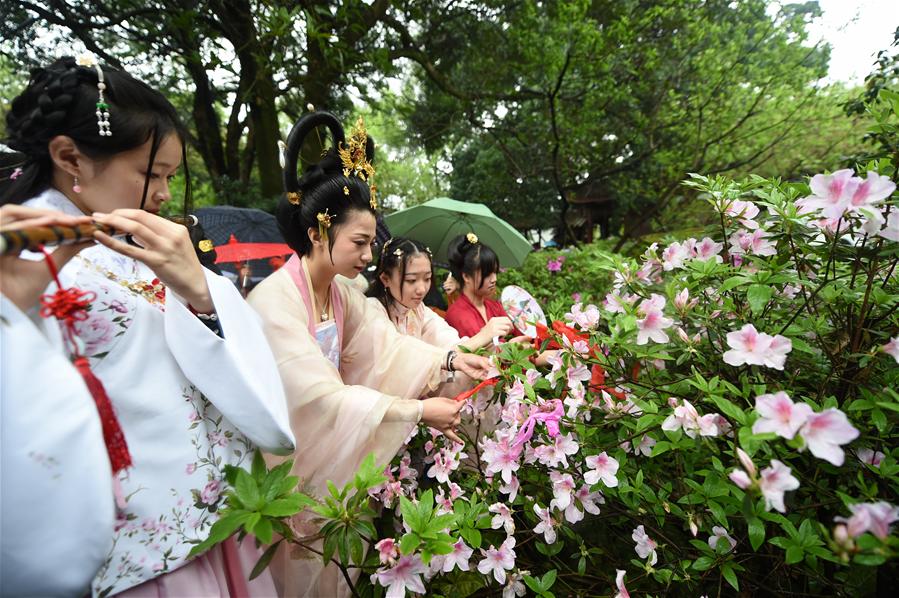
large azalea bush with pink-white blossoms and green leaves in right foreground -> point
(722, 422)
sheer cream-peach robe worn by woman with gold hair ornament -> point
(339, 414)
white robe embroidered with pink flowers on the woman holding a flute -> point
(189, 402)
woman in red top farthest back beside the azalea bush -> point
(474, 266)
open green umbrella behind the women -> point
(437, 222)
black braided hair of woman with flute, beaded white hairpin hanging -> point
(61, 99)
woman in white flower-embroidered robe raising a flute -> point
(180, 354)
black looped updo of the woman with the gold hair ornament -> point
(323, 186)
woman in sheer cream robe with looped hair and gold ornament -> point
(352, 381)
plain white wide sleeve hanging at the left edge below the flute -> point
(56, 497)
